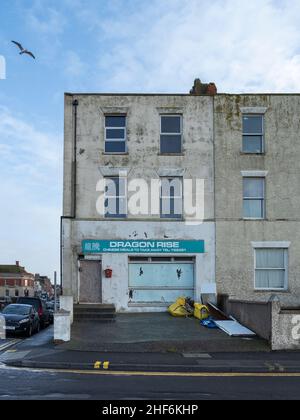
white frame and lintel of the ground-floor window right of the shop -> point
(273, 245)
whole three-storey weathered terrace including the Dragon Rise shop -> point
(171, 194)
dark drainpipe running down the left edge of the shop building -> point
(74, 192)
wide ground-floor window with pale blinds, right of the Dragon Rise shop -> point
(271, 268)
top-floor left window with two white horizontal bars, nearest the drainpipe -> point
(115, 134)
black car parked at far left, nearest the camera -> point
(21, 319)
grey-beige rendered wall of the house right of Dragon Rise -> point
(235, 259)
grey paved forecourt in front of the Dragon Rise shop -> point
(156, 333)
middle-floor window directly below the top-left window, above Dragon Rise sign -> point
(115, 197)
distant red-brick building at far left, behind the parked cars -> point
(15, 281)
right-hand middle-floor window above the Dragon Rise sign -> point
(171, 198)
